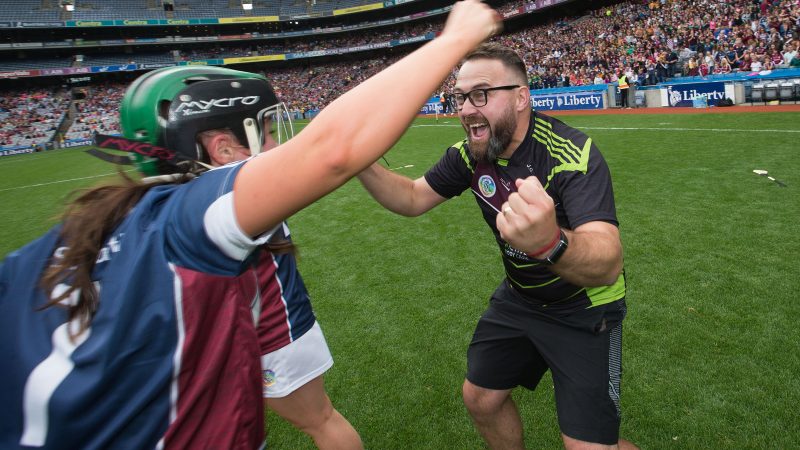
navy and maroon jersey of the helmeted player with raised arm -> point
(172, 356)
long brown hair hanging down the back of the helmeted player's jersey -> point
(87, 223)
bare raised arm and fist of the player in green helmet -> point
(354, 130)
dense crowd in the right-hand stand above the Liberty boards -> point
(654, 40)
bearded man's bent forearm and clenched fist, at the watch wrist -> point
(528, 222)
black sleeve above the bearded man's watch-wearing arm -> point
(588, 195)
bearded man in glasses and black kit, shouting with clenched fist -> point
(545, 192)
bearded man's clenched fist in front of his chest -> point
(528, 219)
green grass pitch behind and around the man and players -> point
(711, 343)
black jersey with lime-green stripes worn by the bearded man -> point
(574, 174)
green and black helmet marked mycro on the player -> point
(168, 107)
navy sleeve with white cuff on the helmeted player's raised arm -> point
(202, 232)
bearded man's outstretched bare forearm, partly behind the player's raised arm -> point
(397, 193)
